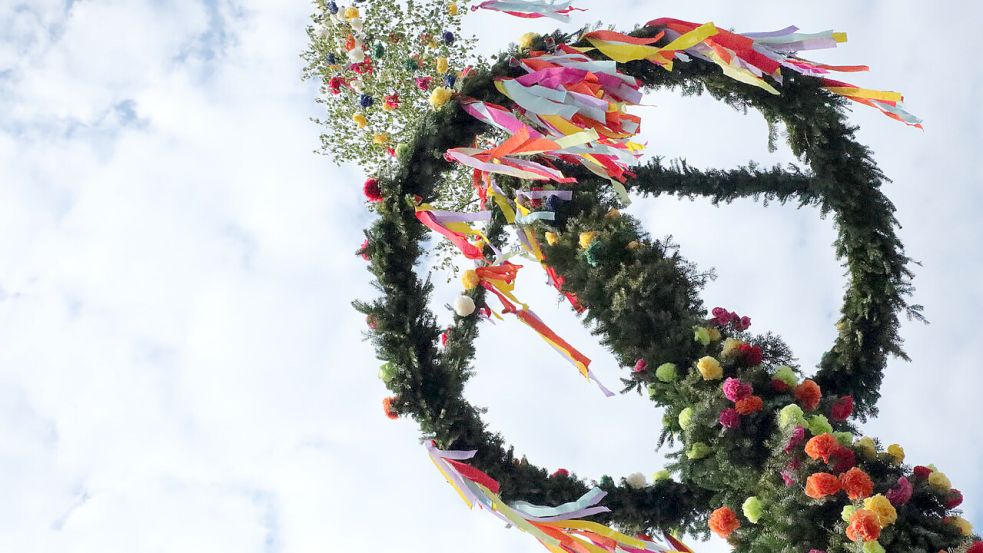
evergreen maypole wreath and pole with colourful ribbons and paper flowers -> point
(755, 439)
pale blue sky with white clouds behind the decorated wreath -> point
(180, 366)
